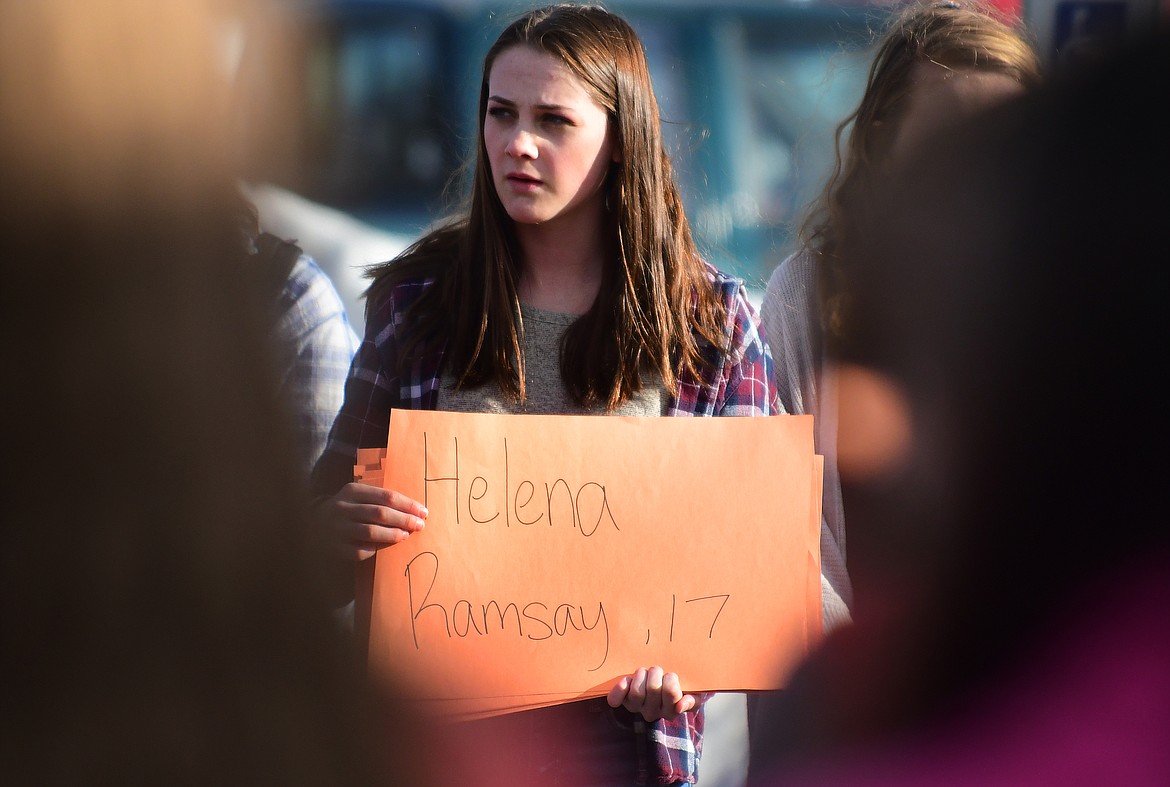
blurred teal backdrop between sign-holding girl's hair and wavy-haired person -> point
(751, 103)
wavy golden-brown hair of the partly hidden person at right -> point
(958, 36)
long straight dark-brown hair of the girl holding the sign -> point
(656, 301)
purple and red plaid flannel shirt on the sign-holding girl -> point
(739, 382)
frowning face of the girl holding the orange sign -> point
(548, 142)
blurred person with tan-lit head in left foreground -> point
(162, 605)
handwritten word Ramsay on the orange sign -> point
(465, 619)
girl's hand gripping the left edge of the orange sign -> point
(364, 519)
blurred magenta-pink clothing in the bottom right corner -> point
(1093, 708)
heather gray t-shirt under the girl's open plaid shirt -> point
(547, 393)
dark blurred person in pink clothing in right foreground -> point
(1004, 443)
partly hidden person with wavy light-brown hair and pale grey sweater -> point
(938, 63)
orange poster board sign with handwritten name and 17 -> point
(563, 553)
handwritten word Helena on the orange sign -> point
(521, 503)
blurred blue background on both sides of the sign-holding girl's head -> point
(382, 94)
